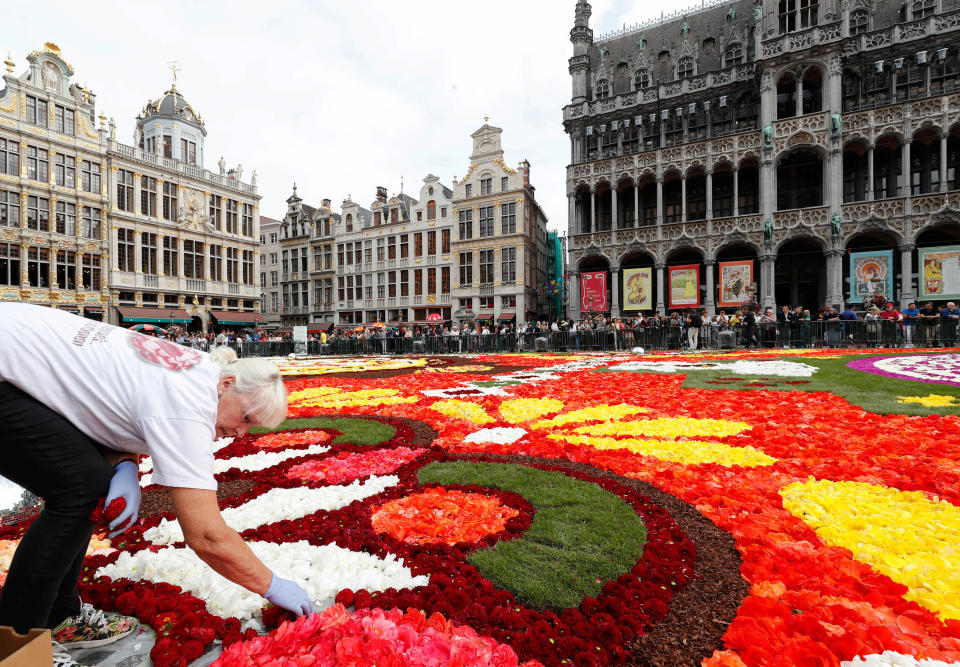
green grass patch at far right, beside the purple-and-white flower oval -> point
(876, 393)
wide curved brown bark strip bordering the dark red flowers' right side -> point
(699, 614)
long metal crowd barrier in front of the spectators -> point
(798, 334)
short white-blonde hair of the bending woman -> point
(260, 383)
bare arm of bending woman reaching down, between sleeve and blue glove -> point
(216, 543)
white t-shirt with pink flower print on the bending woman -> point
(127, 391)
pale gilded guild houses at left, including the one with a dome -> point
(122, 233)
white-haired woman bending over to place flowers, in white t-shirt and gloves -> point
(78, 411)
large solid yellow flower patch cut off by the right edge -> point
(903, 534)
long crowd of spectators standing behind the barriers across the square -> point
(747, 326)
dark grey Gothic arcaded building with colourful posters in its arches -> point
(792, 153)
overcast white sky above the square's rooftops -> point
(338, 95)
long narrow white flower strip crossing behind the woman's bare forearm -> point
(279, 504)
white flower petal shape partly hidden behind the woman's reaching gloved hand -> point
(322, 571)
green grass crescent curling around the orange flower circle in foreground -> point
(581, 535)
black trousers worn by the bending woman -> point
(47, 455)
